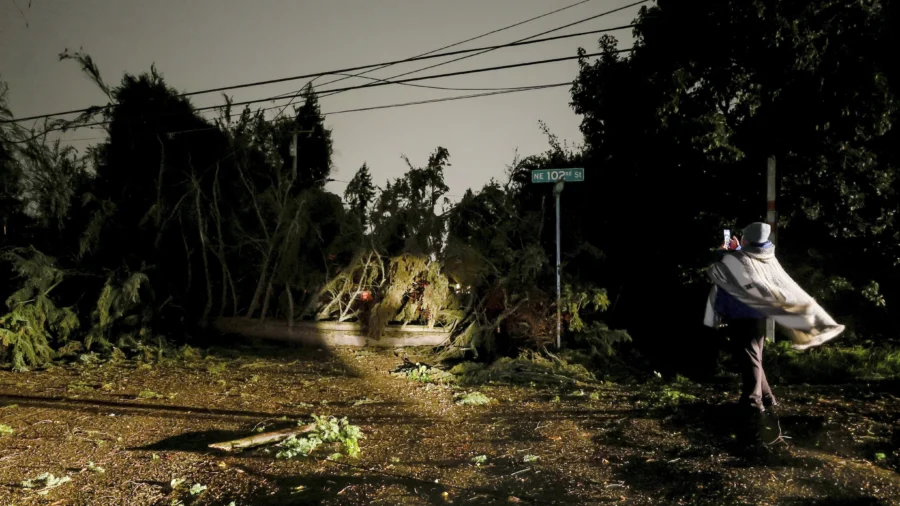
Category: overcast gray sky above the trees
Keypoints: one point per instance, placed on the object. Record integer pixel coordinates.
(208, 43)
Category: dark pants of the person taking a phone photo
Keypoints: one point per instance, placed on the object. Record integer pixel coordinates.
(748, 337)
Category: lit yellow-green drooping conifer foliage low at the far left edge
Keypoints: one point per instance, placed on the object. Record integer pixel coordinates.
(34, 323)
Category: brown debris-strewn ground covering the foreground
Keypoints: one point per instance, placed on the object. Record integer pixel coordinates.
(148, 425)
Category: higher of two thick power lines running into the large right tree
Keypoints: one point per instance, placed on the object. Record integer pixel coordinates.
(341, 71)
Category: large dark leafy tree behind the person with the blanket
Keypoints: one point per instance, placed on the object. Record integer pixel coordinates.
(684, 136)
